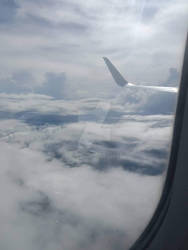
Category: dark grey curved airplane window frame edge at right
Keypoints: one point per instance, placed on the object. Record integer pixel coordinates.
(168, 228)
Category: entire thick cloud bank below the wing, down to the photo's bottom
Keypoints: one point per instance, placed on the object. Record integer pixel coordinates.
(83, 174)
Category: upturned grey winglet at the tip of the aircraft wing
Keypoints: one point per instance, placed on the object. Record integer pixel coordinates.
(115, 73)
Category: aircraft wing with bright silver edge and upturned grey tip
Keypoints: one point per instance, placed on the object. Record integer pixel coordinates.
(120, 80)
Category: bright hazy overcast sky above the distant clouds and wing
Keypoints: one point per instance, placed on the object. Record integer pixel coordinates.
(145, 39)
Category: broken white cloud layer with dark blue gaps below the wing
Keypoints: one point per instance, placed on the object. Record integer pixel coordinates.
(82, 132)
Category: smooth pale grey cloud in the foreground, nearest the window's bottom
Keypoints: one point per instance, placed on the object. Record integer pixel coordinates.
(51, 205)
